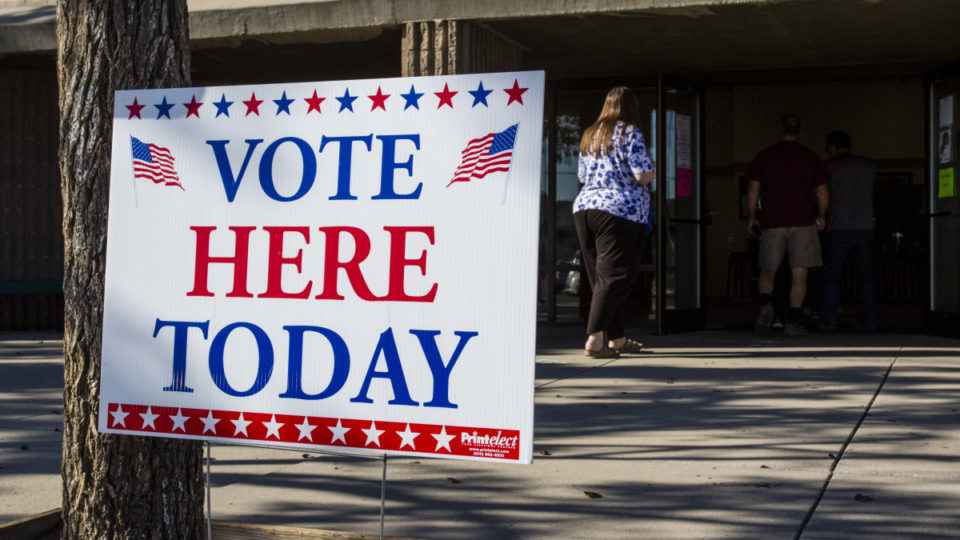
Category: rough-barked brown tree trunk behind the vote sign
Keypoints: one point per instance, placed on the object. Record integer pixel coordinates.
(113, 486)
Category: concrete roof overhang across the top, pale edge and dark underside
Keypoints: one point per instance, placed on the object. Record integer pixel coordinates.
(720, 41)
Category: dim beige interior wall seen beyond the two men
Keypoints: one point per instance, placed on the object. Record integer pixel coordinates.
(884, 117)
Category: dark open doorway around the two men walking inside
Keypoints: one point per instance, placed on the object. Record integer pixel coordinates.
(885, 118)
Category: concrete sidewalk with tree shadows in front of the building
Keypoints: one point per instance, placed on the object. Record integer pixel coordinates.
(707, 435)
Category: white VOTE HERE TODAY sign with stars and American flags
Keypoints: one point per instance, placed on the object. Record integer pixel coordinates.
(332, 265)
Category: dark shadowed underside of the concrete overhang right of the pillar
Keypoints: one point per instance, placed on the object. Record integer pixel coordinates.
(813, 38)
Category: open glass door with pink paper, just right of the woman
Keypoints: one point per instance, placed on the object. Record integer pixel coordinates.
(679, 207)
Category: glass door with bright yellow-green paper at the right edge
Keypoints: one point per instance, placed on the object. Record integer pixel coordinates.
(943, 165)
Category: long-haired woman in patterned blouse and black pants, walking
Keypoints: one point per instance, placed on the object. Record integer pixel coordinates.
(612, 217)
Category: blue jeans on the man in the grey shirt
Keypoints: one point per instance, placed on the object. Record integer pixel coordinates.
(858, 245)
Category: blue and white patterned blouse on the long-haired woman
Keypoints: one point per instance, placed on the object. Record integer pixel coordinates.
(609, 183)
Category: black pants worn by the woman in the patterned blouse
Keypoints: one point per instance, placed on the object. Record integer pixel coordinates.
(611, 248)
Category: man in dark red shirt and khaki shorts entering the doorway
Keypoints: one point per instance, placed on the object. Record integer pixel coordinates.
(790, 183)
